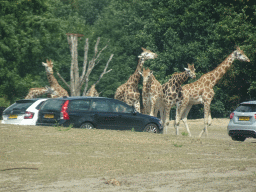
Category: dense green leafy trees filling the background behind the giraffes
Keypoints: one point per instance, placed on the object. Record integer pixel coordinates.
(179, 31)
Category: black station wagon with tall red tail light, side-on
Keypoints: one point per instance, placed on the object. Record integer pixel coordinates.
(95, 112)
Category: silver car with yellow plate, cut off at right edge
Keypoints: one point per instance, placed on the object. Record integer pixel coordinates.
(242, 123)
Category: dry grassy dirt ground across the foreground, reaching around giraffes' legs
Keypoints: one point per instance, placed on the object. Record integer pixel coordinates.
(38, 159)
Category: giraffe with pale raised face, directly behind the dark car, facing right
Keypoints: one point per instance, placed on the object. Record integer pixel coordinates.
(128, 92)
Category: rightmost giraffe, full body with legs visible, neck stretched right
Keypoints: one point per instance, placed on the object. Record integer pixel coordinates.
(201, 92)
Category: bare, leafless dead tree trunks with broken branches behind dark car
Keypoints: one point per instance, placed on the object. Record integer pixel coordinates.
(77, 82)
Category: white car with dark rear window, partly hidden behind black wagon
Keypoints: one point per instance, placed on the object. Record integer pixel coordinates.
(23, 112)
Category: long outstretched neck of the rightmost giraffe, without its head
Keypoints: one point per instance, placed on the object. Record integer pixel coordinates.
(215, 75)
